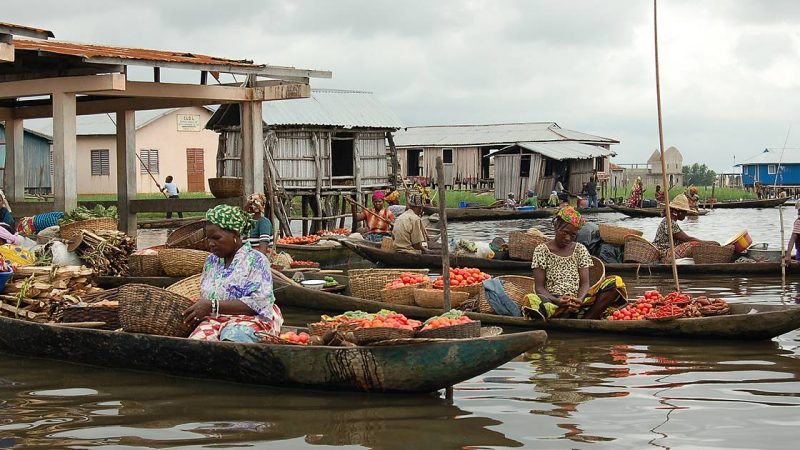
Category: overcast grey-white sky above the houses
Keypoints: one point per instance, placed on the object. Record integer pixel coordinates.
(730, 69)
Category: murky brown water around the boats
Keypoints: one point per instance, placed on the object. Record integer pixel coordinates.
(579, 391)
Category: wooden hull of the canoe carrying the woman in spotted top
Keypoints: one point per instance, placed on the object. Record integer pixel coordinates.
(746, 321)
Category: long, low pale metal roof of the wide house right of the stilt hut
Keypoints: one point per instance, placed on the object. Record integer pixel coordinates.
(506, 133)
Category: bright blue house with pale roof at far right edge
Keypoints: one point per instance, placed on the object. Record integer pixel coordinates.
(769, 168)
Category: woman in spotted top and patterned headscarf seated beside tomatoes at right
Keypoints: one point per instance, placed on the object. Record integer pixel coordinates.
(561, 270)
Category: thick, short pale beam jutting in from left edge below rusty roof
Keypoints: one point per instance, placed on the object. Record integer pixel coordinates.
(46, 86)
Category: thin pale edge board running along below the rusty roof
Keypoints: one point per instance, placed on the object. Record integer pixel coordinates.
(261, 70)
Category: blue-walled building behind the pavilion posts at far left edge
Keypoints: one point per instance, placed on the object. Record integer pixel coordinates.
(38, 169)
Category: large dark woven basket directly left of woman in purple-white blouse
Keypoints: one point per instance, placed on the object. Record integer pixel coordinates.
(150, 310)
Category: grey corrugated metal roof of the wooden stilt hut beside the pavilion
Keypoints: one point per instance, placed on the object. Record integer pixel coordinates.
(332, 107)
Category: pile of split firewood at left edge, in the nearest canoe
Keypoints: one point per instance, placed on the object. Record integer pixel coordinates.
(40, 293)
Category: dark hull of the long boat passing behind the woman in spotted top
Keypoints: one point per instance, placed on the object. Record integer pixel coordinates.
(433, 261)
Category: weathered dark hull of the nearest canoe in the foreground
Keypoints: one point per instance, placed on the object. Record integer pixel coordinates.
(421, 367)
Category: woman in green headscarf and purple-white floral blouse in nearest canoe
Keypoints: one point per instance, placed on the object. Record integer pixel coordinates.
(236, 285)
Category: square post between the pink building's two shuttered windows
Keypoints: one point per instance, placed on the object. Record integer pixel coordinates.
(126, 170)
